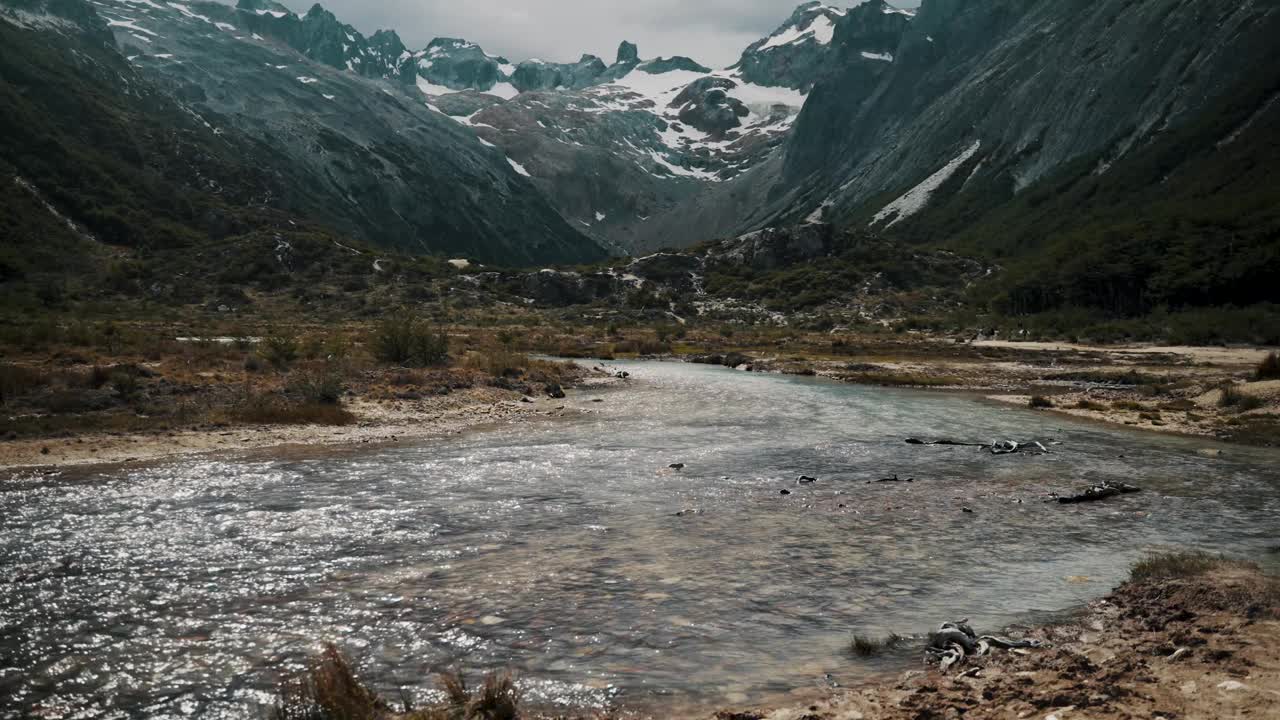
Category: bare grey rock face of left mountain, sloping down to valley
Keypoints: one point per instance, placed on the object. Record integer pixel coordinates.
(359, 160)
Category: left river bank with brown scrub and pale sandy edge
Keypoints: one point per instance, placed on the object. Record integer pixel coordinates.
(158, 399)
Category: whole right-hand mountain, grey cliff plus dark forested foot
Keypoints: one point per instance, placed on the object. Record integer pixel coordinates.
(1039, 130)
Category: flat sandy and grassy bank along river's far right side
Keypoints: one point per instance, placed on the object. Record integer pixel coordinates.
(1210, 393)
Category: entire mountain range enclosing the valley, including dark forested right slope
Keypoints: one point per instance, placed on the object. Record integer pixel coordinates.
(1005, 130)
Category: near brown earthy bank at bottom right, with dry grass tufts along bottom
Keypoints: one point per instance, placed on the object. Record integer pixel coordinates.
(1188, 637)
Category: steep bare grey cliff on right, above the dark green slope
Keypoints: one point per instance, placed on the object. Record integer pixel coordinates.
(991, 97)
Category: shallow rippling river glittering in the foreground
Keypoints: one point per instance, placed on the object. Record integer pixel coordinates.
(188, 589)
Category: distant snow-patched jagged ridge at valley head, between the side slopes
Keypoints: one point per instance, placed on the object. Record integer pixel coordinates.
(610, 145)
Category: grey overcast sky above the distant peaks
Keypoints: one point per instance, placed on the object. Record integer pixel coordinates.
(711, 31)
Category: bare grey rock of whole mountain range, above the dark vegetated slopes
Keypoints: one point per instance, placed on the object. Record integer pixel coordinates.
(870, 116)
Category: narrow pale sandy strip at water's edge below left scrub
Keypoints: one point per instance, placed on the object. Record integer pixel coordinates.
(378, 422)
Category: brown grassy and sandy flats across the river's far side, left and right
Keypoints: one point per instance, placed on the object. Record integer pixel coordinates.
(150, 399)
